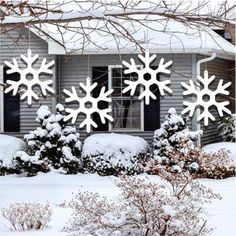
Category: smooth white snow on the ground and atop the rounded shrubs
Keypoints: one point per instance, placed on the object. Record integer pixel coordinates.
(55, 188)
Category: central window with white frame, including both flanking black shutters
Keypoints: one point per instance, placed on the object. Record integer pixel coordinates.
(129, 113)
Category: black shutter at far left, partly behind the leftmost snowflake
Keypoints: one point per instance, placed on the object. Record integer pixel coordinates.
(11, 106)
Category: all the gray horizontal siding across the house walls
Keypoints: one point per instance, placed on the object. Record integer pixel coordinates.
(74, 69)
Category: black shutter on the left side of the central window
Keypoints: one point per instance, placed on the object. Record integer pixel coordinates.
(100, 75)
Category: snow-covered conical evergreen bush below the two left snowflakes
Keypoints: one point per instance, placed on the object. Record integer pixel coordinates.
(53, 145)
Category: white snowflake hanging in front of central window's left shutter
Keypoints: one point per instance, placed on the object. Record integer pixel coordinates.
(83, 105)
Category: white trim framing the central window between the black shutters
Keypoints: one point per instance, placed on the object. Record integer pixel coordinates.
(110, 67)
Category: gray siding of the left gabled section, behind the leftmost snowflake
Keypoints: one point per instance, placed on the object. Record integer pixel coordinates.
(12, 46)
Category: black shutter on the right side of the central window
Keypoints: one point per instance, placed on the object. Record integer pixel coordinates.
(152, 111)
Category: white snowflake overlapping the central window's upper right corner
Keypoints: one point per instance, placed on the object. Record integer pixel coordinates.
(146, 84)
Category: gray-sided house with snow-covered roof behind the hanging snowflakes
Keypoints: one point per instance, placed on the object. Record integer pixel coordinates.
(102, 63)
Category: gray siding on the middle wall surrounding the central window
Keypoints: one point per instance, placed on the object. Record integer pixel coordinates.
(74, 69)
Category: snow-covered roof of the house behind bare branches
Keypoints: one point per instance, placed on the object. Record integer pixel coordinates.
(158, 34)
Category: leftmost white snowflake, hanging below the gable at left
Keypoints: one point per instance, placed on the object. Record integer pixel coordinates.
(27, 82)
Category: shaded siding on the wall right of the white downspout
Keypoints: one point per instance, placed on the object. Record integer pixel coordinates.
(219, 68)
